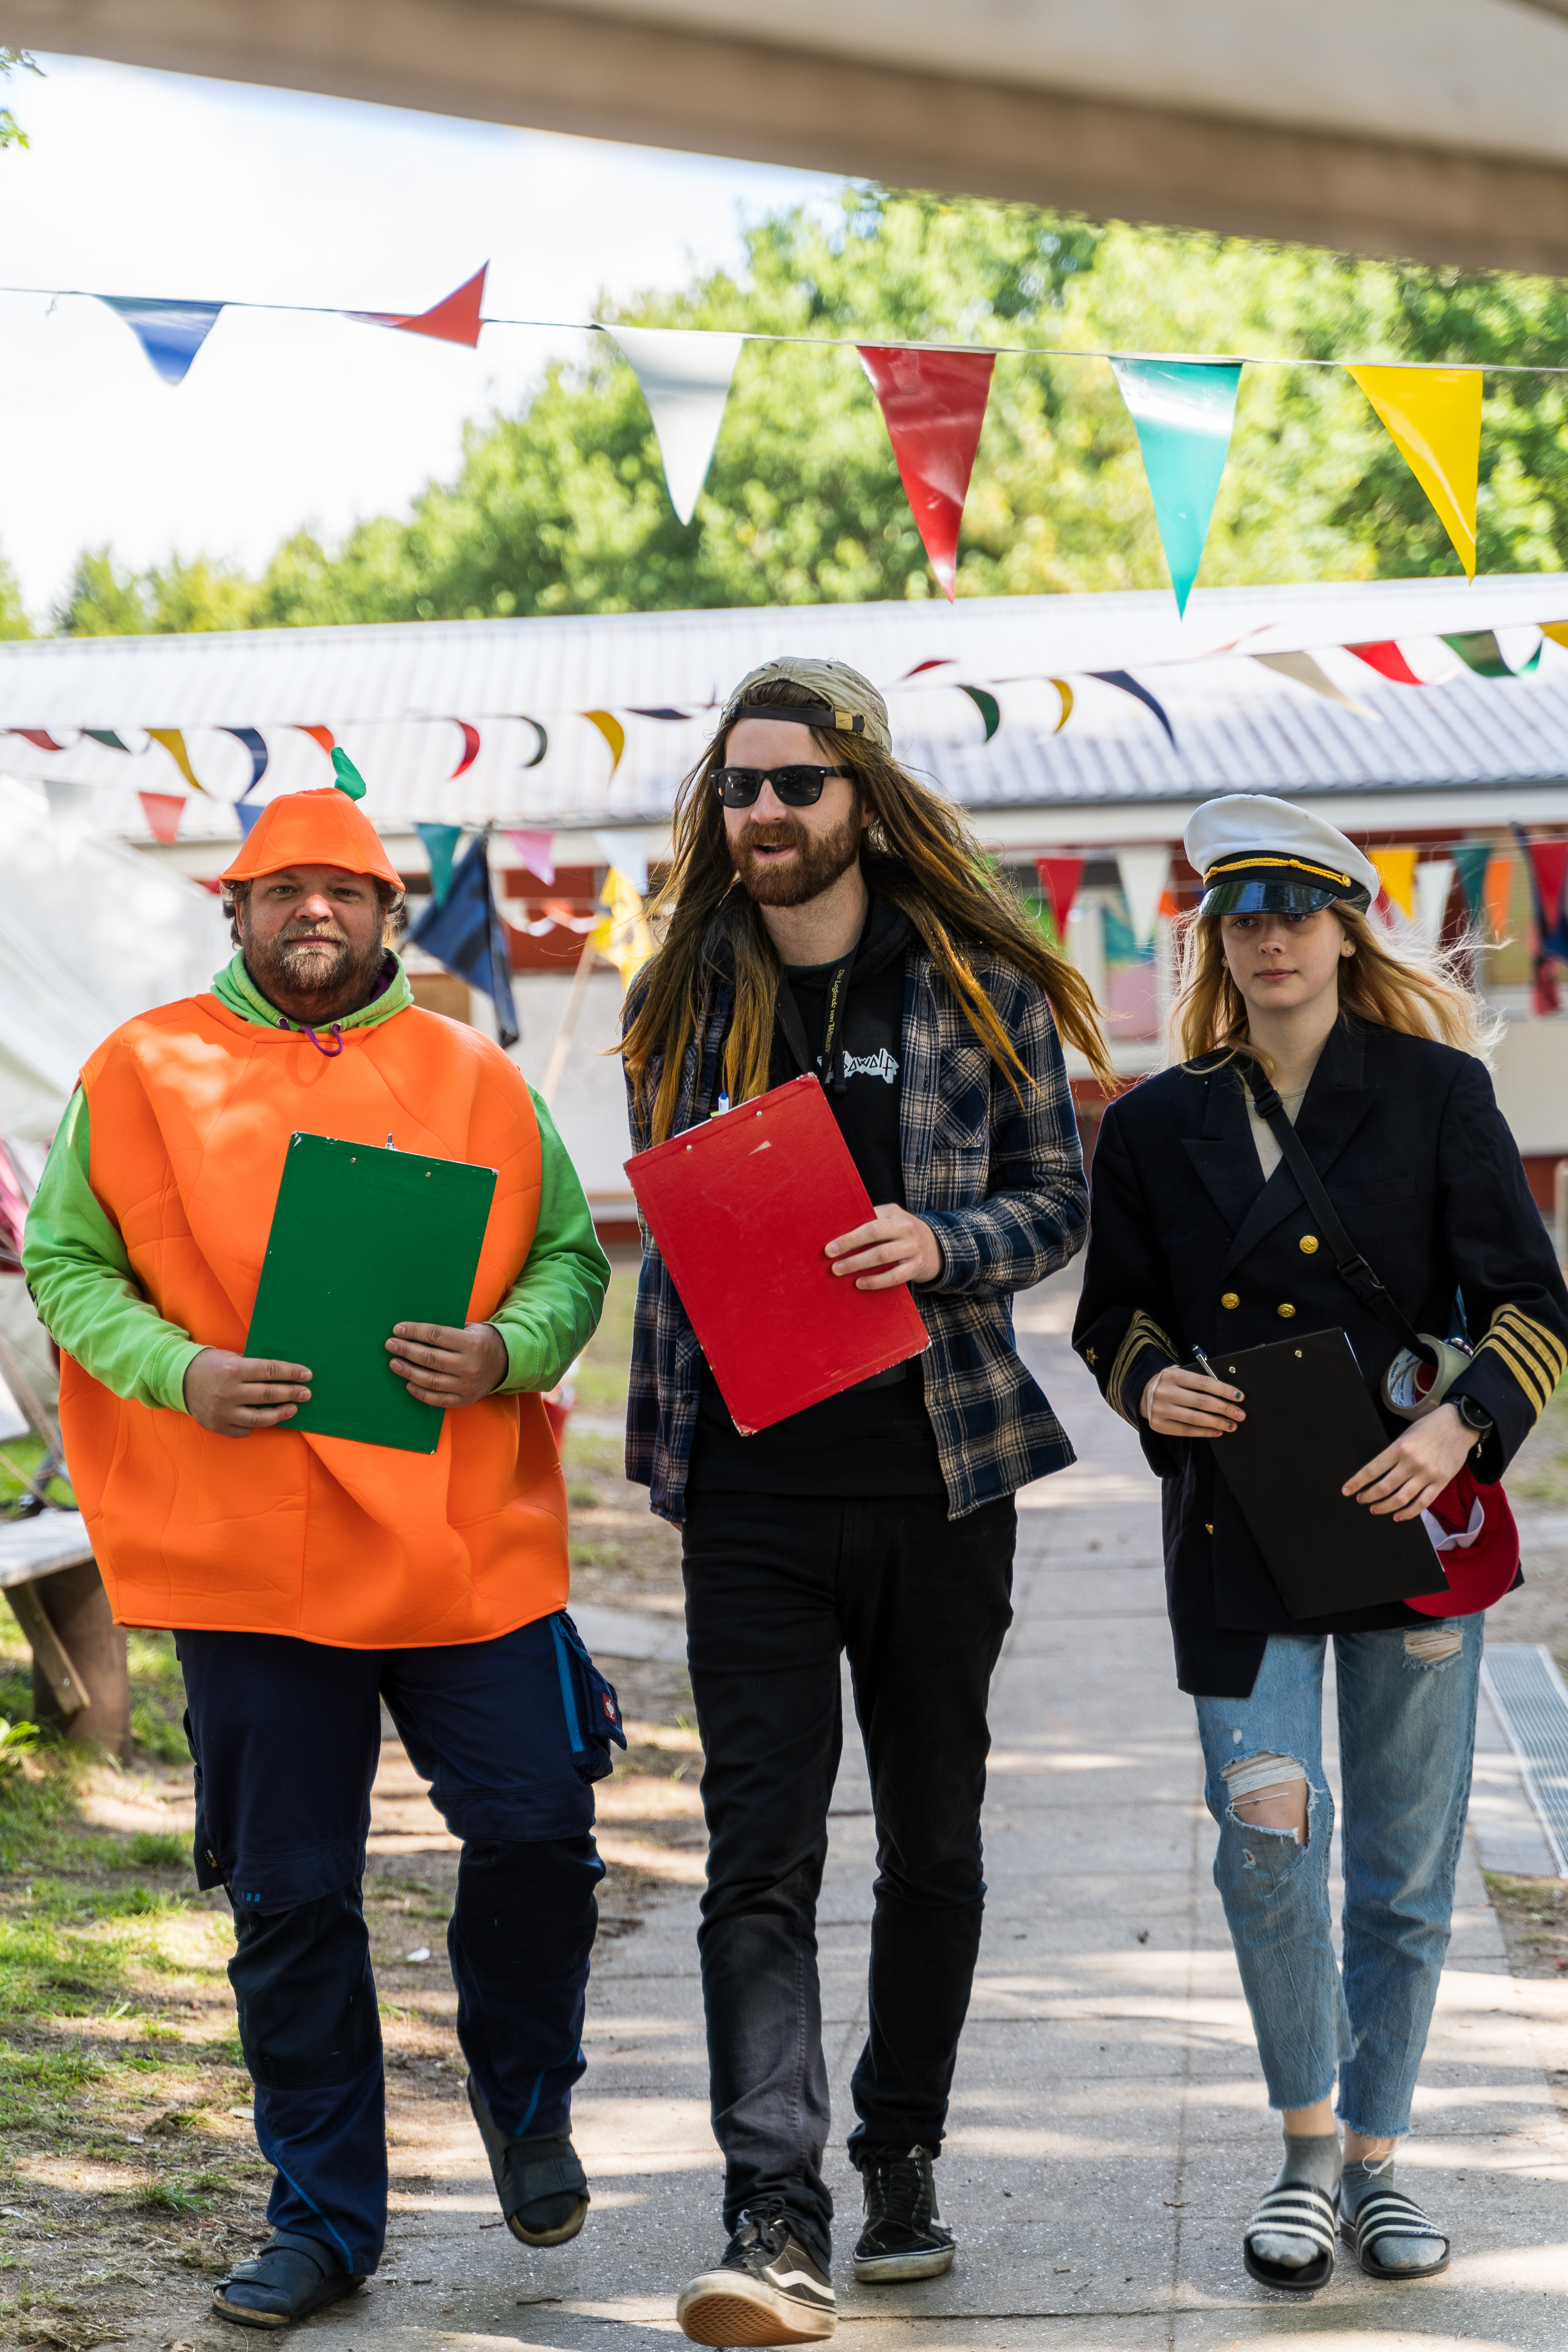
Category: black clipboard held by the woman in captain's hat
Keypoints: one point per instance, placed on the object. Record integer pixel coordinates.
(1311, 1424)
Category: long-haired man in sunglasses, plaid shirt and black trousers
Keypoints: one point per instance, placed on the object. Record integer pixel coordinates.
(831, 916)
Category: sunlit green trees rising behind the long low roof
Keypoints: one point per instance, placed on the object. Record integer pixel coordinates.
(563, 507)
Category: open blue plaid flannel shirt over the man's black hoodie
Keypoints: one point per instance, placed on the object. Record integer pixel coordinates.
(1000, 1184)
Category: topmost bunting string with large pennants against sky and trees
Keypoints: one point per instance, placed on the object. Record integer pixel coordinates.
(934, 401)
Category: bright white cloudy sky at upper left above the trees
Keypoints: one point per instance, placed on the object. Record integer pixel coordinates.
(173, 187)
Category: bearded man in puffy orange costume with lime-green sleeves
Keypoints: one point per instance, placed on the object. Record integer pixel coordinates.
(311, 1577)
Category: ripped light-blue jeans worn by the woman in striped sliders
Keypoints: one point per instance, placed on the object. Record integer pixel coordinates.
(1407, 1739)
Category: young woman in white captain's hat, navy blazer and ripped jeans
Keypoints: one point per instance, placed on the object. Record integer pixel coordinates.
(1202, 1243)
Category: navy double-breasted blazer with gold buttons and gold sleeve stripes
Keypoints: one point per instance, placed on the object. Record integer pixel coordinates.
(1191, 1248)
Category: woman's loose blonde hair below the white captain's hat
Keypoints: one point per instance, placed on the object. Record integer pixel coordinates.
(1412, 989)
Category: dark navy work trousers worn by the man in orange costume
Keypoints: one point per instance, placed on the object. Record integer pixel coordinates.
(288, 1739)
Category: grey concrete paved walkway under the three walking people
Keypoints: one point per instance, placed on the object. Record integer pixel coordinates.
(1108, 2125)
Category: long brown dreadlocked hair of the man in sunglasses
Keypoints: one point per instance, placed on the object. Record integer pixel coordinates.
(920, 855)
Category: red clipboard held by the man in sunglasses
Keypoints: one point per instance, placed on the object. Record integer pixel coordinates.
(742, 1212)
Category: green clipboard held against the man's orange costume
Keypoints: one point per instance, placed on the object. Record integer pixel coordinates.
(366, 1238)
